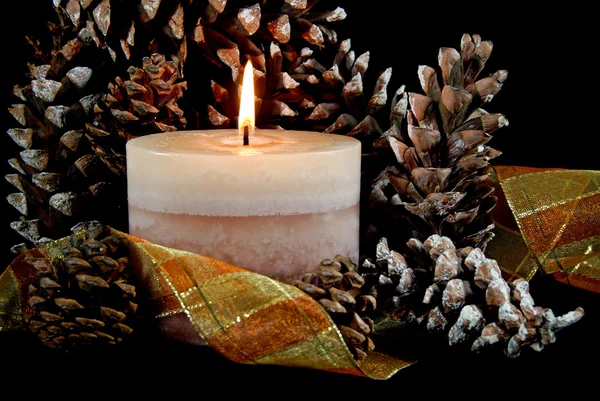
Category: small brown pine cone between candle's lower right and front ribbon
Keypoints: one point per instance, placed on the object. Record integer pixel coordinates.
(337, 285)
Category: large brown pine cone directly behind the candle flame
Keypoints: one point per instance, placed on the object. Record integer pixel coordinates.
(293, 88)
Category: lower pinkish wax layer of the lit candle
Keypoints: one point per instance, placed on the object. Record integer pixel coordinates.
(283, 247)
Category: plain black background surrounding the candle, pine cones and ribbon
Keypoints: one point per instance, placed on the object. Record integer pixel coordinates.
(550, 99)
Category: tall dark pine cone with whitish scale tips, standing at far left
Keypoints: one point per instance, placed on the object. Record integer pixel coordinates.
(54, 171)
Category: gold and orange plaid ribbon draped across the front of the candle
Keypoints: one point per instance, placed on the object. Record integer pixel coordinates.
(246, 317)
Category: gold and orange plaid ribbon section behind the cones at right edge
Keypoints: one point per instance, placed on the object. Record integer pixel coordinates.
(548, 219)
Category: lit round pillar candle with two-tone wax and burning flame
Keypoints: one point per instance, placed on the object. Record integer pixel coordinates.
(276, 203)
